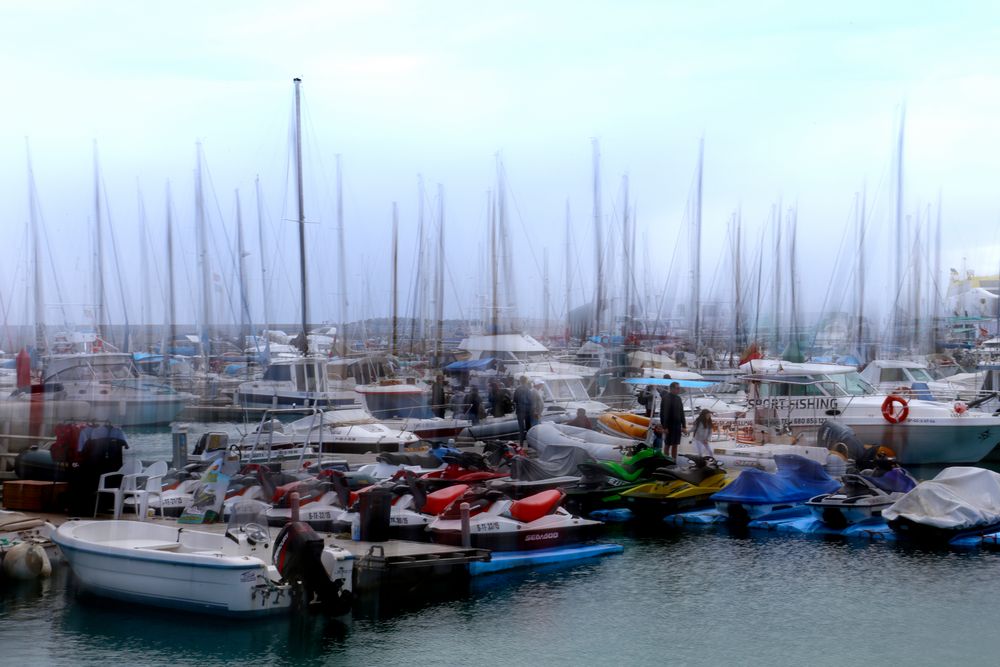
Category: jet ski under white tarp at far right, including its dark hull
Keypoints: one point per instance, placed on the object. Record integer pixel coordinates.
(960, 501)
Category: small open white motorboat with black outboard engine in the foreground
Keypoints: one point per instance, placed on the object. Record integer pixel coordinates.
(230, 574)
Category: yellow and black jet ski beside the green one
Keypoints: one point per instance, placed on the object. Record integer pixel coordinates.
(677, 488)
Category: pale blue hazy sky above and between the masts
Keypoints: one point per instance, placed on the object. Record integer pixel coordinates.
(798, 106)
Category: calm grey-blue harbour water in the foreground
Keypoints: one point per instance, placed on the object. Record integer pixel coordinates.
(691, 597)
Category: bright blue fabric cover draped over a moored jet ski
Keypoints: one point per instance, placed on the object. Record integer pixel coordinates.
(797, 479)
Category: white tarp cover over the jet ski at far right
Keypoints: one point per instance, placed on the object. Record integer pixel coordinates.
(958, 498)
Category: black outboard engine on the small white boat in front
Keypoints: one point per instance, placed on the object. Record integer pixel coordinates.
(298, 553)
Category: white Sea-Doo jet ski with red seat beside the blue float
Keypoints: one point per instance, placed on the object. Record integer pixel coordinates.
(500, 523)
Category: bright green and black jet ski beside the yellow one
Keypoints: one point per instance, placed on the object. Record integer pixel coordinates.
(603, 482)
